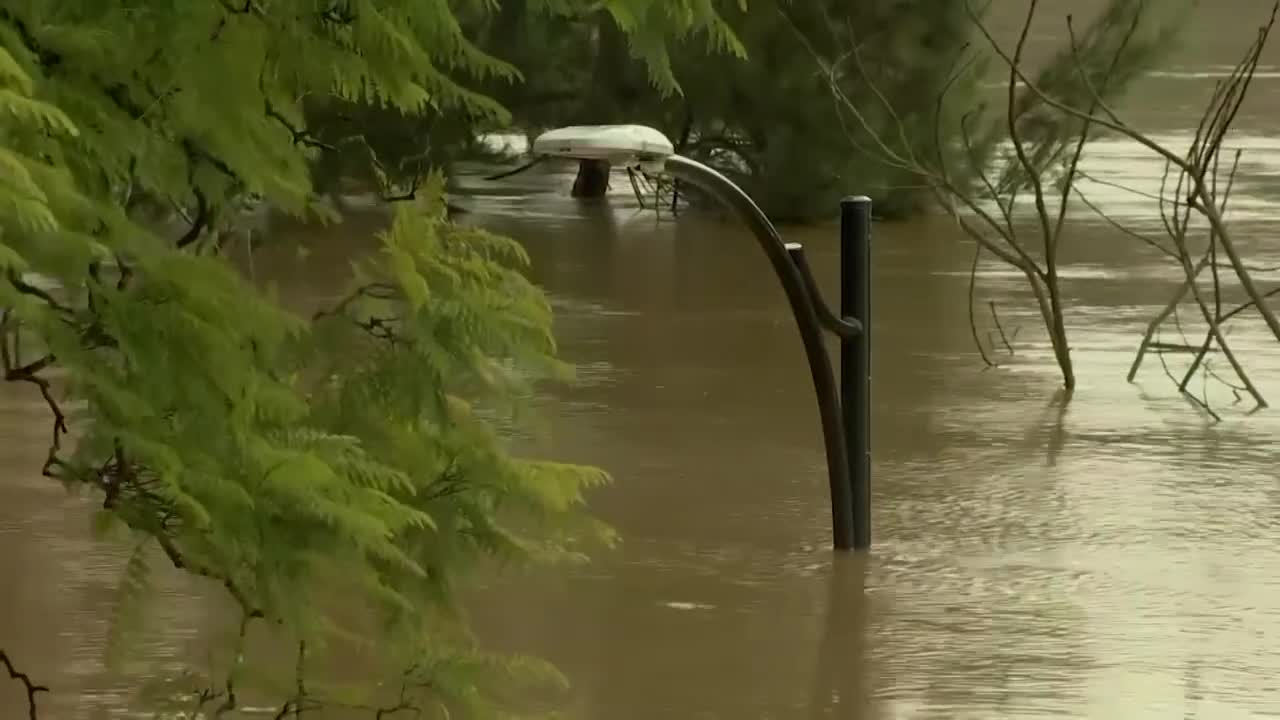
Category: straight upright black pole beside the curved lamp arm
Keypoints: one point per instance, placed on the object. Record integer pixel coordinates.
(856, 358)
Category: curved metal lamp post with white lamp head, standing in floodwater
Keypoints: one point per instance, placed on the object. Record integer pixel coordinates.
(651, 151)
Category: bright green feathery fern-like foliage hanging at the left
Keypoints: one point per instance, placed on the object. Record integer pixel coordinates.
(354, 459)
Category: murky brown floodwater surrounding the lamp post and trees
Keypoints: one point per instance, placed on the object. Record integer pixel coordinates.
(1108, 558)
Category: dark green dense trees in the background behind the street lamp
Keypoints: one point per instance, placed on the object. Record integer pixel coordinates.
(769, 119)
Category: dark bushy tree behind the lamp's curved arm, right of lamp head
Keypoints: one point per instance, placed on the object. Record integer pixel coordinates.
(771, 121)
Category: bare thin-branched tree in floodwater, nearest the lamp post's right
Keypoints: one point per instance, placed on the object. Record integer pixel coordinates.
(1023, 149)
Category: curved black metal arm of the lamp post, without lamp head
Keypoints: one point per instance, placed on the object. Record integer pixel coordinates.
(811, 334)
